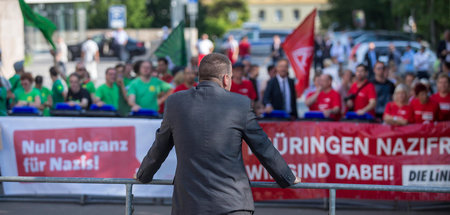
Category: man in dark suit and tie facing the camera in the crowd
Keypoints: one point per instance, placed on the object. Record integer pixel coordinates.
(280, 91)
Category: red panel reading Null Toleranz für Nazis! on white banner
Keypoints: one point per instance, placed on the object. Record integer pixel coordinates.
(105, 152)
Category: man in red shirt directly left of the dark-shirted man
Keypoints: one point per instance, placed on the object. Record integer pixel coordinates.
(364, 99)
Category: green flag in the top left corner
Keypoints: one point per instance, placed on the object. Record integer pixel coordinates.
(31, 18)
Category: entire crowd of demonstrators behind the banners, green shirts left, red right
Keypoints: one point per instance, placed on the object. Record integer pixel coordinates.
(412, 94)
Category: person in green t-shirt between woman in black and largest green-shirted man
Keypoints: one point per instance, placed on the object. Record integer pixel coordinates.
(109, 92)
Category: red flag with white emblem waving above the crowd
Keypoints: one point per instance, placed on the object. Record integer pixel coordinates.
(299, 47)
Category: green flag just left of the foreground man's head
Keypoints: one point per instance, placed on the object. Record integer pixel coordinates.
(174, 46)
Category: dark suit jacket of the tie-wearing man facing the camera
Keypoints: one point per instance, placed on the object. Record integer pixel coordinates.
(273, 95)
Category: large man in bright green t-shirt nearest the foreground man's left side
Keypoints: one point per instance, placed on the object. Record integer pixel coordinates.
(146, 91)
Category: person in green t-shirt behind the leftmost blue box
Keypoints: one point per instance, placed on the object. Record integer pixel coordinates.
(27, 95)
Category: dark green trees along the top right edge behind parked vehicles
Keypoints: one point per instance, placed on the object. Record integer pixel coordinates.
(431, 16)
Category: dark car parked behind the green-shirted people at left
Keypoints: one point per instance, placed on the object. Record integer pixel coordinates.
(108, 47)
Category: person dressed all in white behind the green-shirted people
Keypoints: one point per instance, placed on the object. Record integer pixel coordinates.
(90, 57)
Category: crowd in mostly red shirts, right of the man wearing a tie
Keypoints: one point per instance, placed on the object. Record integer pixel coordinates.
(403, 90)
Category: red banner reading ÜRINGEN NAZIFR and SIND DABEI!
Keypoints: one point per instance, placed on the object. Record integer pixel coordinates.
(357, 153)
